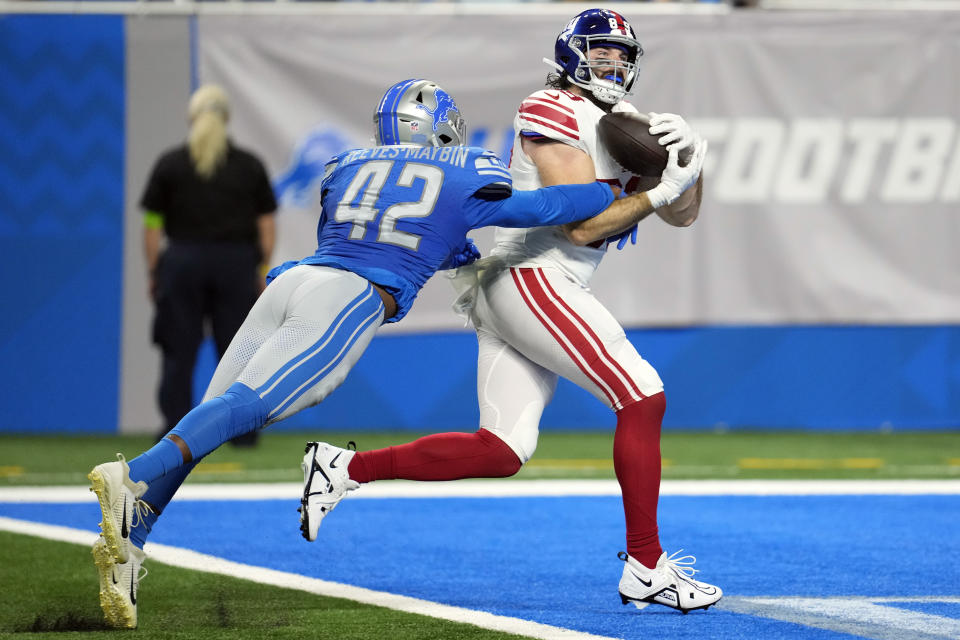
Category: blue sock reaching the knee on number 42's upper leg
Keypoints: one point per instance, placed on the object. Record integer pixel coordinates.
(238, 411)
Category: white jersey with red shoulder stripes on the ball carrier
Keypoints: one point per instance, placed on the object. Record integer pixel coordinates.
(571, 119)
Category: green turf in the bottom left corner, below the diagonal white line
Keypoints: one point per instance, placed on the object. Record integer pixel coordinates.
(51, 592)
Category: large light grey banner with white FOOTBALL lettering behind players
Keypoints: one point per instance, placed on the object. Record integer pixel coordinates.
(833, 181)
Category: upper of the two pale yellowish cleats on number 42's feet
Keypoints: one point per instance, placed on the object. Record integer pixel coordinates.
(120, 504)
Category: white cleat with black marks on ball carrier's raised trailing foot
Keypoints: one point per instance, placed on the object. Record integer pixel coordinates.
(325, 482)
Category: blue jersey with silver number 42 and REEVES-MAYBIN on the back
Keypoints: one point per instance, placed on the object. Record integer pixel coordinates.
(397, 214)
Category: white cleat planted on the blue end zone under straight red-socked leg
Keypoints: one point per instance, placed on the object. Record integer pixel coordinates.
(670, 583)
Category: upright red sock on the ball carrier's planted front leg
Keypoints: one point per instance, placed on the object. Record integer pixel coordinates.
(636, 461)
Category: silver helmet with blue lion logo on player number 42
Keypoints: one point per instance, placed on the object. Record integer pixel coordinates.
(418, 112)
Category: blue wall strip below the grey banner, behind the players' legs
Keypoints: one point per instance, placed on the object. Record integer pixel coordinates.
(734, 377)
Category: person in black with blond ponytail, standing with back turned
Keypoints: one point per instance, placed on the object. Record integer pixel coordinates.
(213, 203)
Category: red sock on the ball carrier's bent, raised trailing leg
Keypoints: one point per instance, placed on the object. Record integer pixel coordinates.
(442, 456)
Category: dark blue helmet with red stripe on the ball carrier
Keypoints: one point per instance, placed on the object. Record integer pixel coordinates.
(594, 28)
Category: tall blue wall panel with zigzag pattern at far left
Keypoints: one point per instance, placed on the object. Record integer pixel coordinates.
(62, 120)
